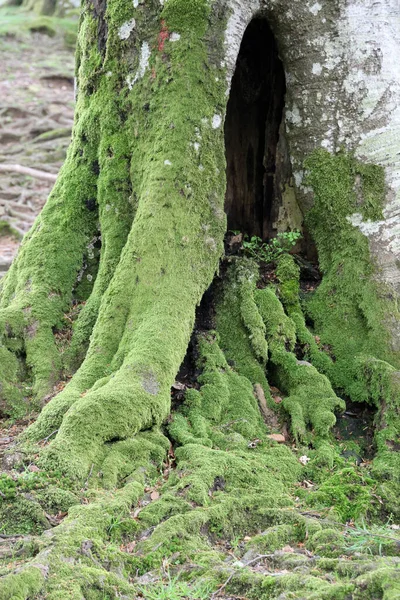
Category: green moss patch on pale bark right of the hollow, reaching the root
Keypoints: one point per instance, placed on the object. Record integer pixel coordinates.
(364, 363)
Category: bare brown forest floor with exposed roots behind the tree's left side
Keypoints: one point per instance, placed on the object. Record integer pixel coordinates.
(36, 116)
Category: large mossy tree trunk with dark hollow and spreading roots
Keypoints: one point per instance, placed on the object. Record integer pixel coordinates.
(131, 238)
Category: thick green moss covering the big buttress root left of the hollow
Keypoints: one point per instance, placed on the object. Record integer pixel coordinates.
(177, 231)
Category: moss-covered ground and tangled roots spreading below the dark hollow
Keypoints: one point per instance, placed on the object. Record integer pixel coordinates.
(209, 505)
